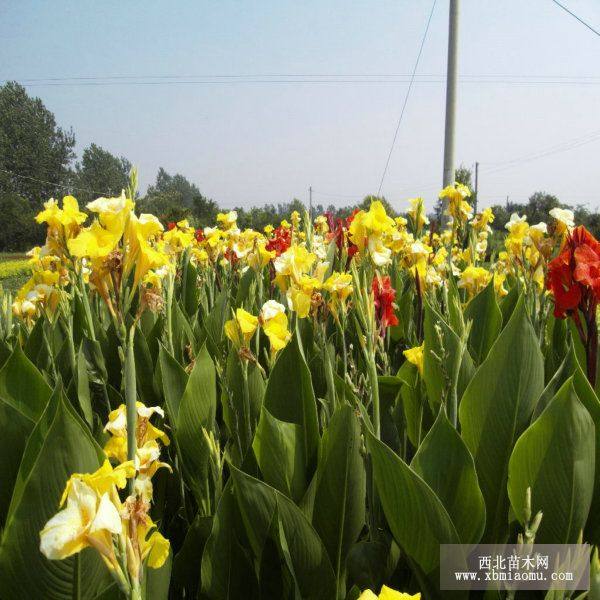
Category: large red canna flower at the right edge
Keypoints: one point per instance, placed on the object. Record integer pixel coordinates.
(574, 281)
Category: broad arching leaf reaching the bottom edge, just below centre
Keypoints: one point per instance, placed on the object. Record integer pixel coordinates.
(298, 542)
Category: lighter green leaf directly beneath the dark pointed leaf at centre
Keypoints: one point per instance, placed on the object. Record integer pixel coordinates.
(279, 450)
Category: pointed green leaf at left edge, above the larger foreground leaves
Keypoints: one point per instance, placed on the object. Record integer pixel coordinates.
(23, 386)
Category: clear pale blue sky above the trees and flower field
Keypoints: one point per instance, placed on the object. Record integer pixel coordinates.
(250, 143)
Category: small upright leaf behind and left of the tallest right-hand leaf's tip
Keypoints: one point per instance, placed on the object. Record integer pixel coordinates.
(486, 320)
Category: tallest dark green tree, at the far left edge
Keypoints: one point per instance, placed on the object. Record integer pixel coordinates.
(35, 154)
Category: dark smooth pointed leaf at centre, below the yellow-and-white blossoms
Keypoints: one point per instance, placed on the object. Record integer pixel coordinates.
(289, 397)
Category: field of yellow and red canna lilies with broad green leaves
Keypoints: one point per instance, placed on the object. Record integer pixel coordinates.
(303, 411)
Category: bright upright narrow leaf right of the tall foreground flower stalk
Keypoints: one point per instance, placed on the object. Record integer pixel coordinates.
(197, 411)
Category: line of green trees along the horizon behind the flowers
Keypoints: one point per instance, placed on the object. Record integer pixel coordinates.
(38, 162)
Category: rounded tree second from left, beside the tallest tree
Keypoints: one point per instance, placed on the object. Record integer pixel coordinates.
(100, 172)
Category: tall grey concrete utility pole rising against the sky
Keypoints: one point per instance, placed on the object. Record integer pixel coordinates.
(451, 93)
